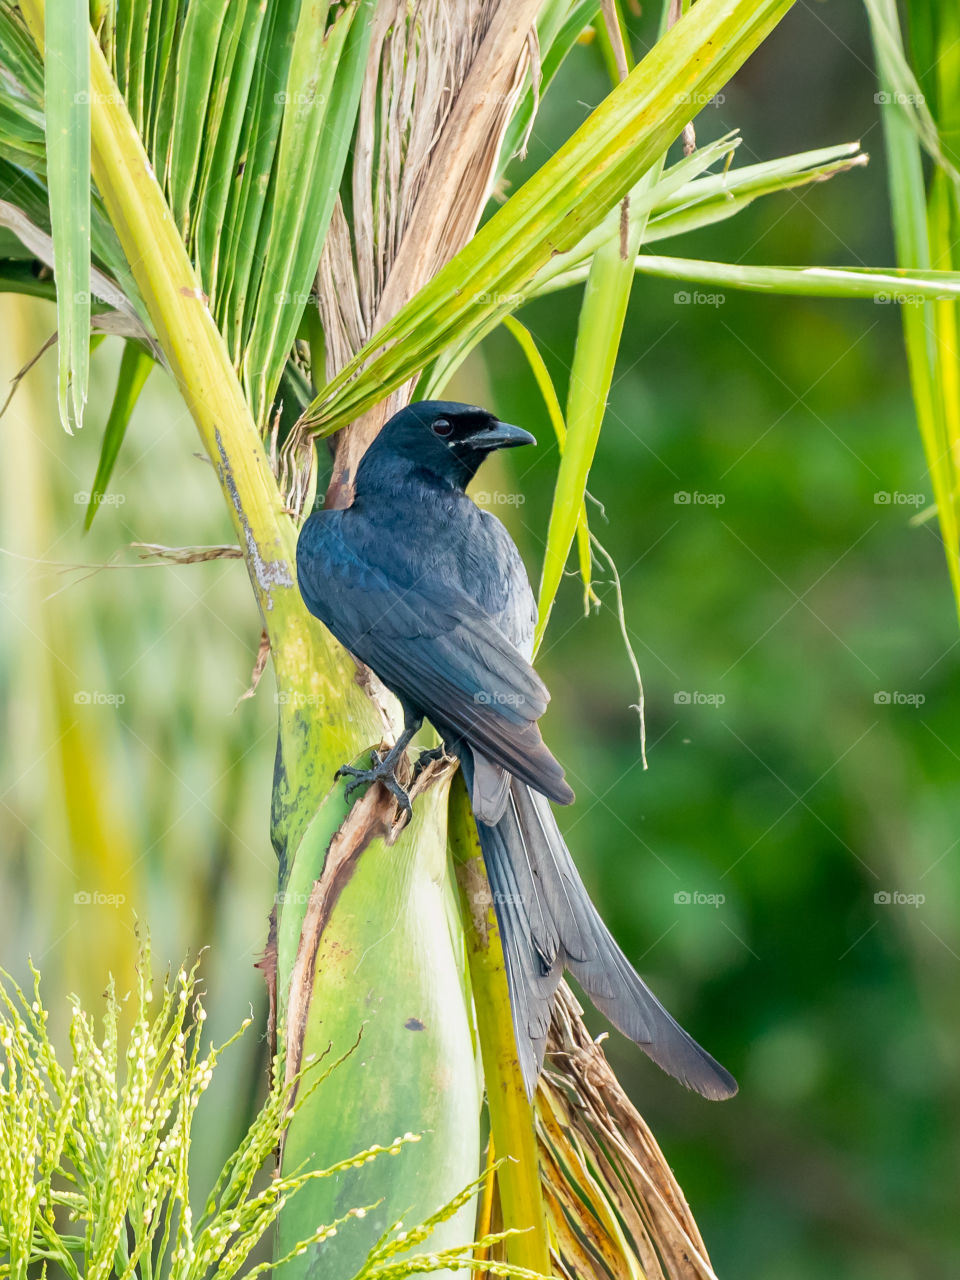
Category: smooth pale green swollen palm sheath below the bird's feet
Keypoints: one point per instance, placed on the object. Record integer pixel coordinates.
(368, 932)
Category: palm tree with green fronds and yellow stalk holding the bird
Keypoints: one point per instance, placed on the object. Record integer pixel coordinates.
(286, 208)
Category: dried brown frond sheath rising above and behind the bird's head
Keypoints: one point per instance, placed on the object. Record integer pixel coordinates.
(442, 84)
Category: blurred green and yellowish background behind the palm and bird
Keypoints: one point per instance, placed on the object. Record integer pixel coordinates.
(799, 650)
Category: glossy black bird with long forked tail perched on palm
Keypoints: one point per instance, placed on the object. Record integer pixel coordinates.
(431, 593)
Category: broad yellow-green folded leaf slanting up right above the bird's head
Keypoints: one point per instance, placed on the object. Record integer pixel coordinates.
(555, 209)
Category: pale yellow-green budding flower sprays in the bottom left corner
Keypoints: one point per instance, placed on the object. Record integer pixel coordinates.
(95, 1156)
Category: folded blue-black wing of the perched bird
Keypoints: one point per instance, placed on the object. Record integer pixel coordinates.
(433, 646)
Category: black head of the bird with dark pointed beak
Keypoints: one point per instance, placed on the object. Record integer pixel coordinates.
(446, 438)
